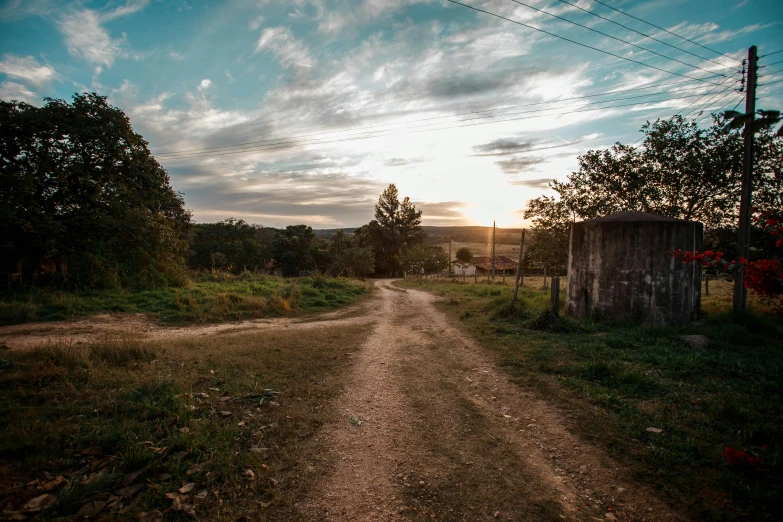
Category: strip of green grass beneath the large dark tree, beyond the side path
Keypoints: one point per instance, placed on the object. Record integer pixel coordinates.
(207, 299)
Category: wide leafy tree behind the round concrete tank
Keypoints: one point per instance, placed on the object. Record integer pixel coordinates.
(680, 171)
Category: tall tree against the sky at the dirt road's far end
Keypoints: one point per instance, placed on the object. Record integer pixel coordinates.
(395, 229)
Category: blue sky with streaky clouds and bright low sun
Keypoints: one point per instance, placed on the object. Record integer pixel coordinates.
(303, 111)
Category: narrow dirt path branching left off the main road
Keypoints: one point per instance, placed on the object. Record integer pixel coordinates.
(141, 326)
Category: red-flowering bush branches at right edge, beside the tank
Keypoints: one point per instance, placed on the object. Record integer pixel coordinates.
(763, 277)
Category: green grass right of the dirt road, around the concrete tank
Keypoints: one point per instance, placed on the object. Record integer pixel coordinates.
(615, 381)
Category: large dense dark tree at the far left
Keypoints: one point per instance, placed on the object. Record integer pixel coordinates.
(79, 186)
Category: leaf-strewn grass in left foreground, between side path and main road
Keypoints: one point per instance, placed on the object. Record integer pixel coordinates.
(222, 425)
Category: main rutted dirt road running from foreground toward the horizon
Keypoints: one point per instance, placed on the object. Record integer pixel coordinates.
(429, 428)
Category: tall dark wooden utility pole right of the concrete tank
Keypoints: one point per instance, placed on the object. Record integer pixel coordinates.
(743, 231)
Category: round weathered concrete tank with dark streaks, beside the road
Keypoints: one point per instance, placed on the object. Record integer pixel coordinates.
(619, 270)
